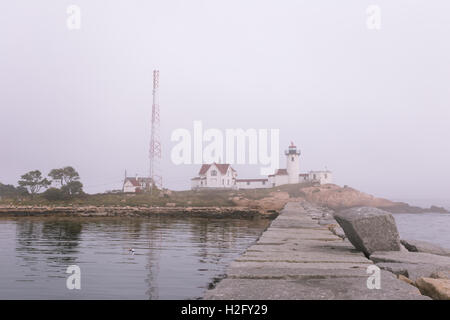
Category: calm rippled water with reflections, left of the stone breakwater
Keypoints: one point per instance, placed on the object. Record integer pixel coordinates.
(174, 258)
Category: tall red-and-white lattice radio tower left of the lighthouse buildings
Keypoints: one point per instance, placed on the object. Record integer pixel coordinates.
(155, 143)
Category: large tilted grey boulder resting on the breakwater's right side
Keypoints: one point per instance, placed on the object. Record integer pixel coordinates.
(369, 229)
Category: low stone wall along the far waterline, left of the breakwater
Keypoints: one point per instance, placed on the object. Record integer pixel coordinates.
(113, 211)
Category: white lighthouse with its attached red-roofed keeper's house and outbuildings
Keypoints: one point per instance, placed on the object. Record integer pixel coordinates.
(218, 176)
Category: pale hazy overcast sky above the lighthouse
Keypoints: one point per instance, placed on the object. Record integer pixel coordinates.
(372, 106)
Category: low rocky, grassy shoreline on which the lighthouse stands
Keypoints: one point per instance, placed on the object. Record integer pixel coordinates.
(209, 203)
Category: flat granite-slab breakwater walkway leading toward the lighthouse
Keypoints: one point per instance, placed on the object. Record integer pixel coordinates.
(299, 257)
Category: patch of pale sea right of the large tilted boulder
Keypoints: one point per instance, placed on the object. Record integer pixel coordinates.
(431, 227)
